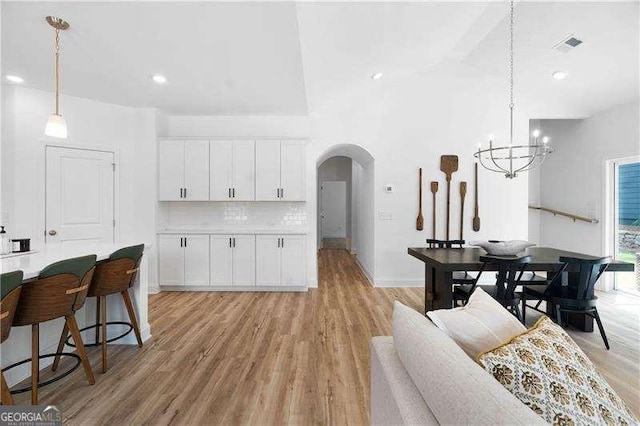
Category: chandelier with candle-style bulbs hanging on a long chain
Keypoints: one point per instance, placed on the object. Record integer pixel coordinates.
(513, 159)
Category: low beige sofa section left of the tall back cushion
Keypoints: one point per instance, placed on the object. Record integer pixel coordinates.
(394, 397)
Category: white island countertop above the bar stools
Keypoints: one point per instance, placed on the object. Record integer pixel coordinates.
(46, 254)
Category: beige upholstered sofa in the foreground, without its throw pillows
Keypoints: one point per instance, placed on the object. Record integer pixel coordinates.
(421, 377)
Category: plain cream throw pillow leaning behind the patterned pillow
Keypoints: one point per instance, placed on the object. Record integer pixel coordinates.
(480, 325)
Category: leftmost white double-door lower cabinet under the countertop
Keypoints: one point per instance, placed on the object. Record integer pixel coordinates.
(183, 260)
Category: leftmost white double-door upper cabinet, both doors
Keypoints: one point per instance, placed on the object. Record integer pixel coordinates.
(183, 170)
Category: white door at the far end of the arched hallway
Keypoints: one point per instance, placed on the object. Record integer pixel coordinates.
(334, 209)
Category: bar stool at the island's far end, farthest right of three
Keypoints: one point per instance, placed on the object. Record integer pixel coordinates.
(115, 275)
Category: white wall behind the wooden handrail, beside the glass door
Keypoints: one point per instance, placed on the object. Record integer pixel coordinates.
(573, 178)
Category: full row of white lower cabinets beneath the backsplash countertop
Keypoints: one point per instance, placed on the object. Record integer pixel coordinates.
(228, 260)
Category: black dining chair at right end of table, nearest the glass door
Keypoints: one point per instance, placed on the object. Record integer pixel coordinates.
(579, 297)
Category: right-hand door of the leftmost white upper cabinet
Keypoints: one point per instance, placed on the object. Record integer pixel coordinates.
(196, 170)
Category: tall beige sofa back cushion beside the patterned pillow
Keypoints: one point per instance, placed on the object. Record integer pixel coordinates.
(456, 389)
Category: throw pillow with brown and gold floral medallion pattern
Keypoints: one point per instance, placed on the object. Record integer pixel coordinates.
(549, 373)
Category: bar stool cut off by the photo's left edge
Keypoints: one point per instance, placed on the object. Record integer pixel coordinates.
(9, 295)
